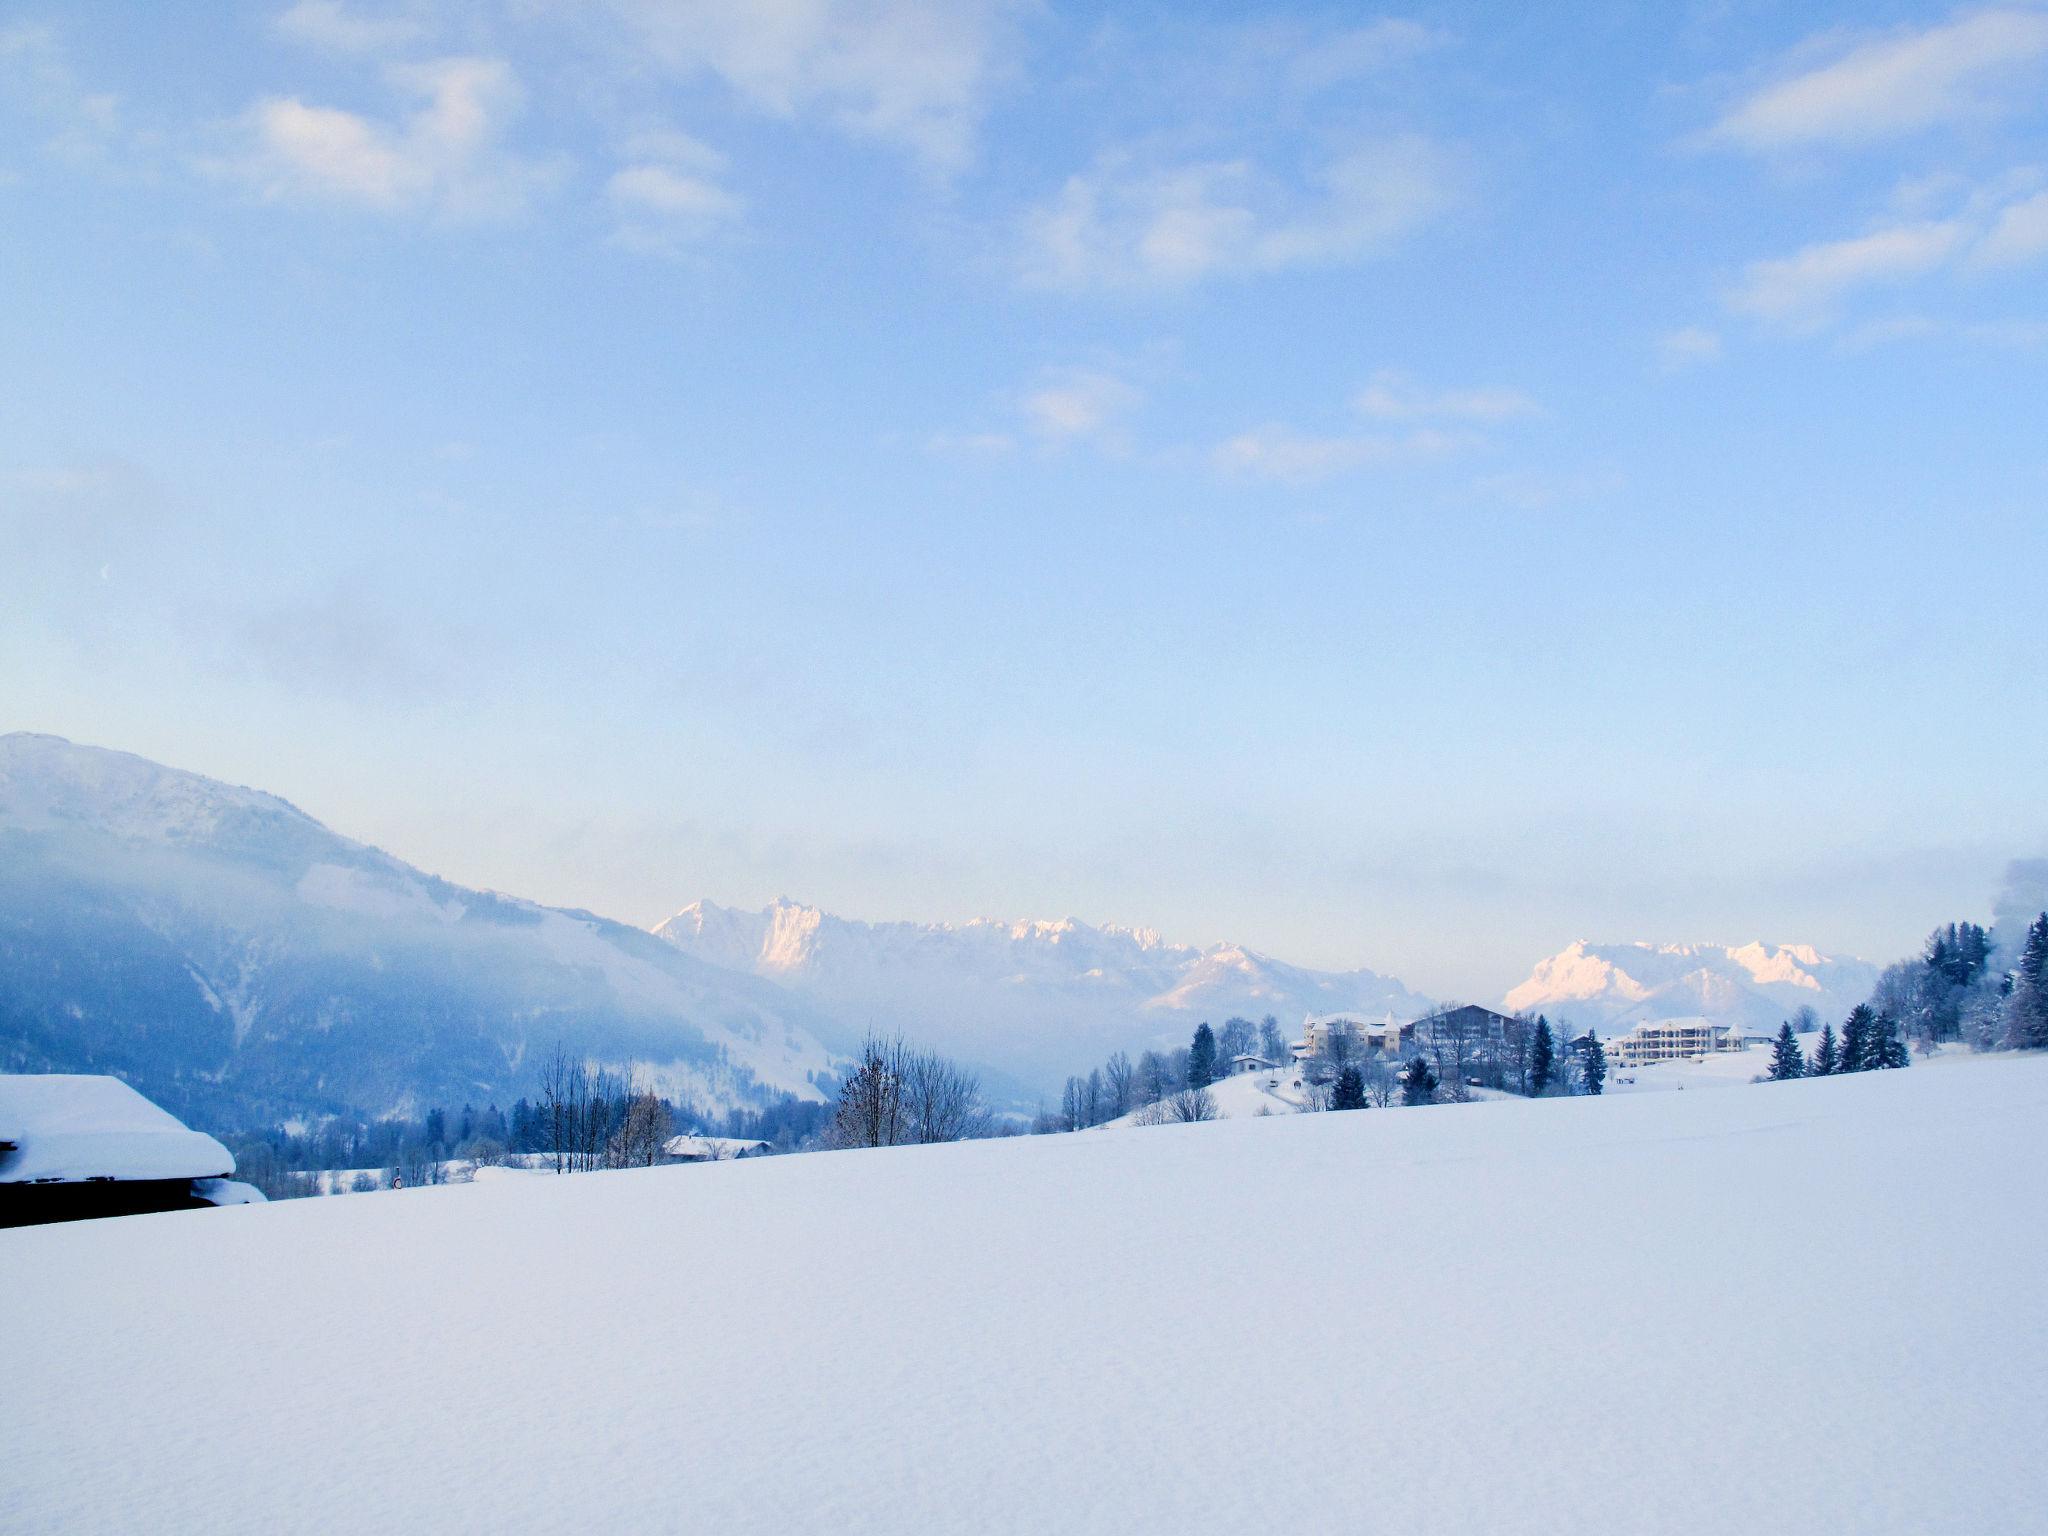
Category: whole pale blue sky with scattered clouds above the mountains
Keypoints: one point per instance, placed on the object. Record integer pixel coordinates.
(1396, 490)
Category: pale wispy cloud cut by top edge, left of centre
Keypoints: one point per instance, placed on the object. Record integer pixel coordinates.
(906, 73)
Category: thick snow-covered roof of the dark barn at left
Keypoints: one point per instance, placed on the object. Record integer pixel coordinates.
(58, 1127)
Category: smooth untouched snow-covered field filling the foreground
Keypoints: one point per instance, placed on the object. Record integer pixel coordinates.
(1805, 1308)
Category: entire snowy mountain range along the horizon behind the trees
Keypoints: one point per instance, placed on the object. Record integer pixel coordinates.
(243, 964)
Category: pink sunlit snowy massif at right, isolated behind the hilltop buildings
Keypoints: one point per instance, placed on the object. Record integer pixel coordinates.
(1760, 986)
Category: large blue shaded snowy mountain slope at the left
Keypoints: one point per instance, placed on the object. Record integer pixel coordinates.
(241, 962)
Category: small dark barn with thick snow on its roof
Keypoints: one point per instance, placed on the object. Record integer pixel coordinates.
(77, 1148)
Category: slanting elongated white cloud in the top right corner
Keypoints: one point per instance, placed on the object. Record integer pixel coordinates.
(1895, 85)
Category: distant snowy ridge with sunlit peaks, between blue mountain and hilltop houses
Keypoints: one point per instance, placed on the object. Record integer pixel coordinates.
(1035, 1000)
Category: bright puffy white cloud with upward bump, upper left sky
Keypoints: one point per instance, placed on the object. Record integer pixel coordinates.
(445, 155)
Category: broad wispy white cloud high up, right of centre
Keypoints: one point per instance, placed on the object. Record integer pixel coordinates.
(1134, 226)
